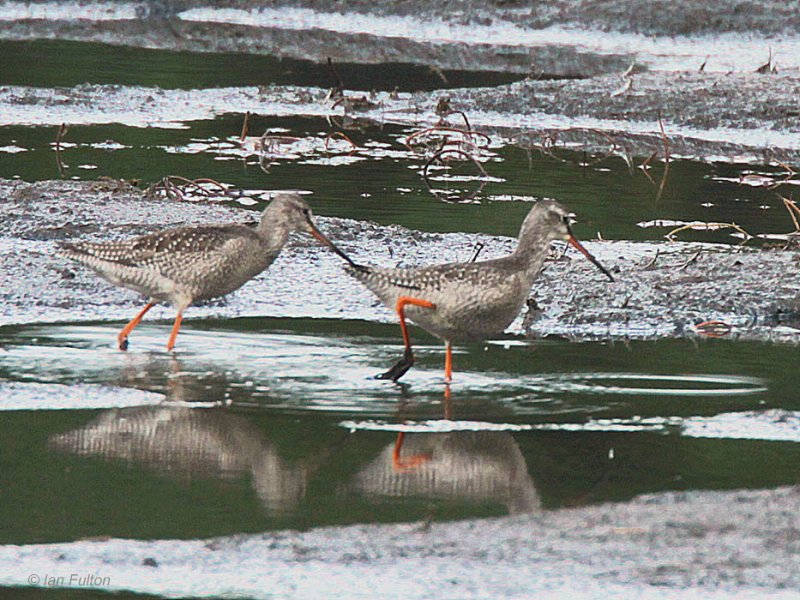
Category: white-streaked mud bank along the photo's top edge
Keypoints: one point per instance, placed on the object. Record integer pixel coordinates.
(568, 38)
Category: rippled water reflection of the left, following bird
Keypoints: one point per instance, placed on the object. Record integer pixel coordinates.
(187, 444)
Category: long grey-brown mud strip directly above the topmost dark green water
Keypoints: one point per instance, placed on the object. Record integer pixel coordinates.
(317, 44)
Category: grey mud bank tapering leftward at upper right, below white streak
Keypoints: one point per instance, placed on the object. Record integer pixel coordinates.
(755, 110)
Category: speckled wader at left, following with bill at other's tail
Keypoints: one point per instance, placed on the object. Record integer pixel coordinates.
(184, 265)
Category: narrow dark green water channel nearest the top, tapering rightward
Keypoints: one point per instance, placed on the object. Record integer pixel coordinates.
(63, 64)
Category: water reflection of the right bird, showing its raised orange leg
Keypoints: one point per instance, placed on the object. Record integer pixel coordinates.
(468, 466)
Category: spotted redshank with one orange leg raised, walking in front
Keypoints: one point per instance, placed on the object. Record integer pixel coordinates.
(460, 302)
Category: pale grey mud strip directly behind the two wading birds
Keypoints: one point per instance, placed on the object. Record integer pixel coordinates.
(755, 292)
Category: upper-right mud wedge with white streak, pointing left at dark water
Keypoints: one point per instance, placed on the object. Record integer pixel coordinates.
(705, 115)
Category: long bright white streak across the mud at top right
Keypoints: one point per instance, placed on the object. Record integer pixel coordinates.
(721, 52)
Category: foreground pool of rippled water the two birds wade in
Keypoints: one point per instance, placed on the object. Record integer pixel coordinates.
(259, 424)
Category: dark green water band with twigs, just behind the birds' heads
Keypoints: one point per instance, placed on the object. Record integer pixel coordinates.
(606, 197)
